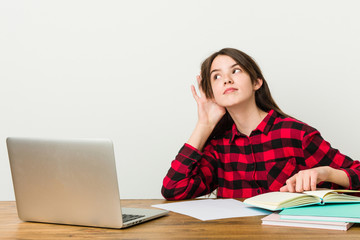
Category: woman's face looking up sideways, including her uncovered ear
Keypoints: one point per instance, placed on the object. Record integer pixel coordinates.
(231, 85)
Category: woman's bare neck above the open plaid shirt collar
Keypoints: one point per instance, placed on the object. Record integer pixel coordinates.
(246, 118)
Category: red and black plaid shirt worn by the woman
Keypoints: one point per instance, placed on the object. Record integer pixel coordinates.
(243, 166)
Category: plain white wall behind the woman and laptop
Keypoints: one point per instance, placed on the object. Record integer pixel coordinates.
(123, 70)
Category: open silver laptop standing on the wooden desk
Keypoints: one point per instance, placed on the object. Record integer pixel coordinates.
(70, 181)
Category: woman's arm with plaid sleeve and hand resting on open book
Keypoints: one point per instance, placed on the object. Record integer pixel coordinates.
(326, 165)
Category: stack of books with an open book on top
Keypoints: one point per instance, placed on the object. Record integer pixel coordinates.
(326, 209)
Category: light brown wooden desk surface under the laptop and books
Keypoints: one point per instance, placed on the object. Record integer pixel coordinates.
(173, 226)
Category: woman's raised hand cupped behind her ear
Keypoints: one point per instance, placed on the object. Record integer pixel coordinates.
(209, 113)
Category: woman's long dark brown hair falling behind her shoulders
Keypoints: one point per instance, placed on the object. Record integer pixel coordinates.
(263, 98)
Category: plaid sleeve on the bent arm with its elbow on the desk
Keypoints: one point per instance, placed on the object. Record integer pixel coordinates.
(192, 174)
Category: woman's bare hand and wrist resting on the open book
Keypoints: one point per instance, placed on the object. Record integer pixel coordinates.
(307, 180)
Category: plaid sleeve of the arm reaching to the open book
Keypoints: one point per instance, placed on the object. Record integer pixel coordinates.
(318, 152)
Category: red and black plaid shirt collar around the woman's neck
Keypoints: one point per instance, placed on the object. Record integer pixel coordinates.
(264, 126)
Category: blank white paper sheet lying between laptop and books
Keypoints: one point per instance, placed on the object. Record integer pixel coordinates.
(211, 209)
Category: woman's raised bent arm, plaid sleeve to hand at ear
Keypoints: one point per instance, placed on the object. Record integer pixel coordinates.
(194, 173)
